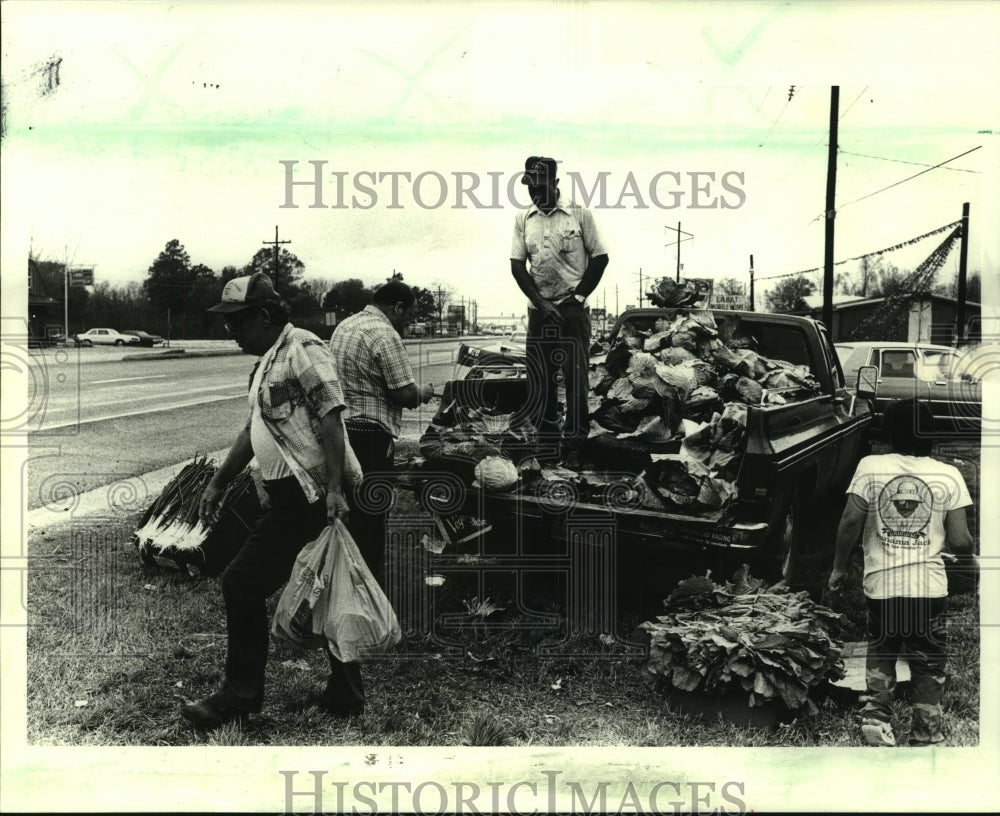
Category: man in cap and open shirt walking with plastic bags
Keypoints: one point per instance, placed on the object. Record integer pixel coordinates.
(295, 430)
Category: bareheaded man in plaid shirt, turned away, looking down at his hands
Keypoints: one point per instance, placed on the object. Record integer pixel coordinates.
(378, 382)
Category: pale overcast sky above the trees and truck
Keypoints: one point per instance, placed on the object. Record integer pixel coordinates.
(170, 121)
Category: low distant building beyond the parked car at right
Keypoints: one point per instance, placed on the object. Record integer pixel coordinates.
(920, 319)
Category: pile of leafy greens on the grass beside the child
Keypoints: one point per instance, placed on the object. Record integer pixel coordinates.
(770, 644)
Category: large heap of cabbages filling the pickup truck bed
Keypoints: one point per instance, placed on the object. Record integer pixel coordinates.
(677, 389)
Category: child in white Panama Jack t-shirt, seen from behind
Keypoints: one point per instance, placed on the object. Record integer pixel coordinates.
(908, 507)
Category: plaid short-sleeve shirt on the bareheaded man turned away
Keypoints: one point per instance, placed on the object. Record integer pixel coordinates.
(371, 360)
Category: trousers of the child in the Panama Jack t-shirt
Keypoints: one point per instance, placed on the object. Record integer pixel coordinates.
(907, 627)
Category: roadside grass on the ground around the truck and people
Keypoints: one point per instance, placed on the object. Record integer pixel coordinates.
(113, 656)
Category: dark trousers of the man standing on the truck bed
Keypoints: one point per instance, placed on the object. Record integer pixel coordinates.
(555, 347)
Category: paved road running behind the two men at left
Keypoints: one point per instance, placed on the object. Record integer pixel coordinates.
(99, 422)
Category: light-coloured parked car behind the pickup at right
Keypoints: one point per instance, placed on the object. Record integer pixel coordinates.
(928, 372)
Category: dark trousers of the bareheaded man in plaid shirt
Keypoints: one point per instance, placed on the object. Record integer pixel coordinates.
(374, 447)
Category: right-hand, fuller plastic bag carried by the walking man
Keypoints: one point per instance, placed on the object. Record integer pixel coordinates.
(359, 622)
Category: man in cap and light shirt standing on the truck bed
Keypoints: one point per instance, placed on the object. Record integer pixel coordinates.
(557, 257)
